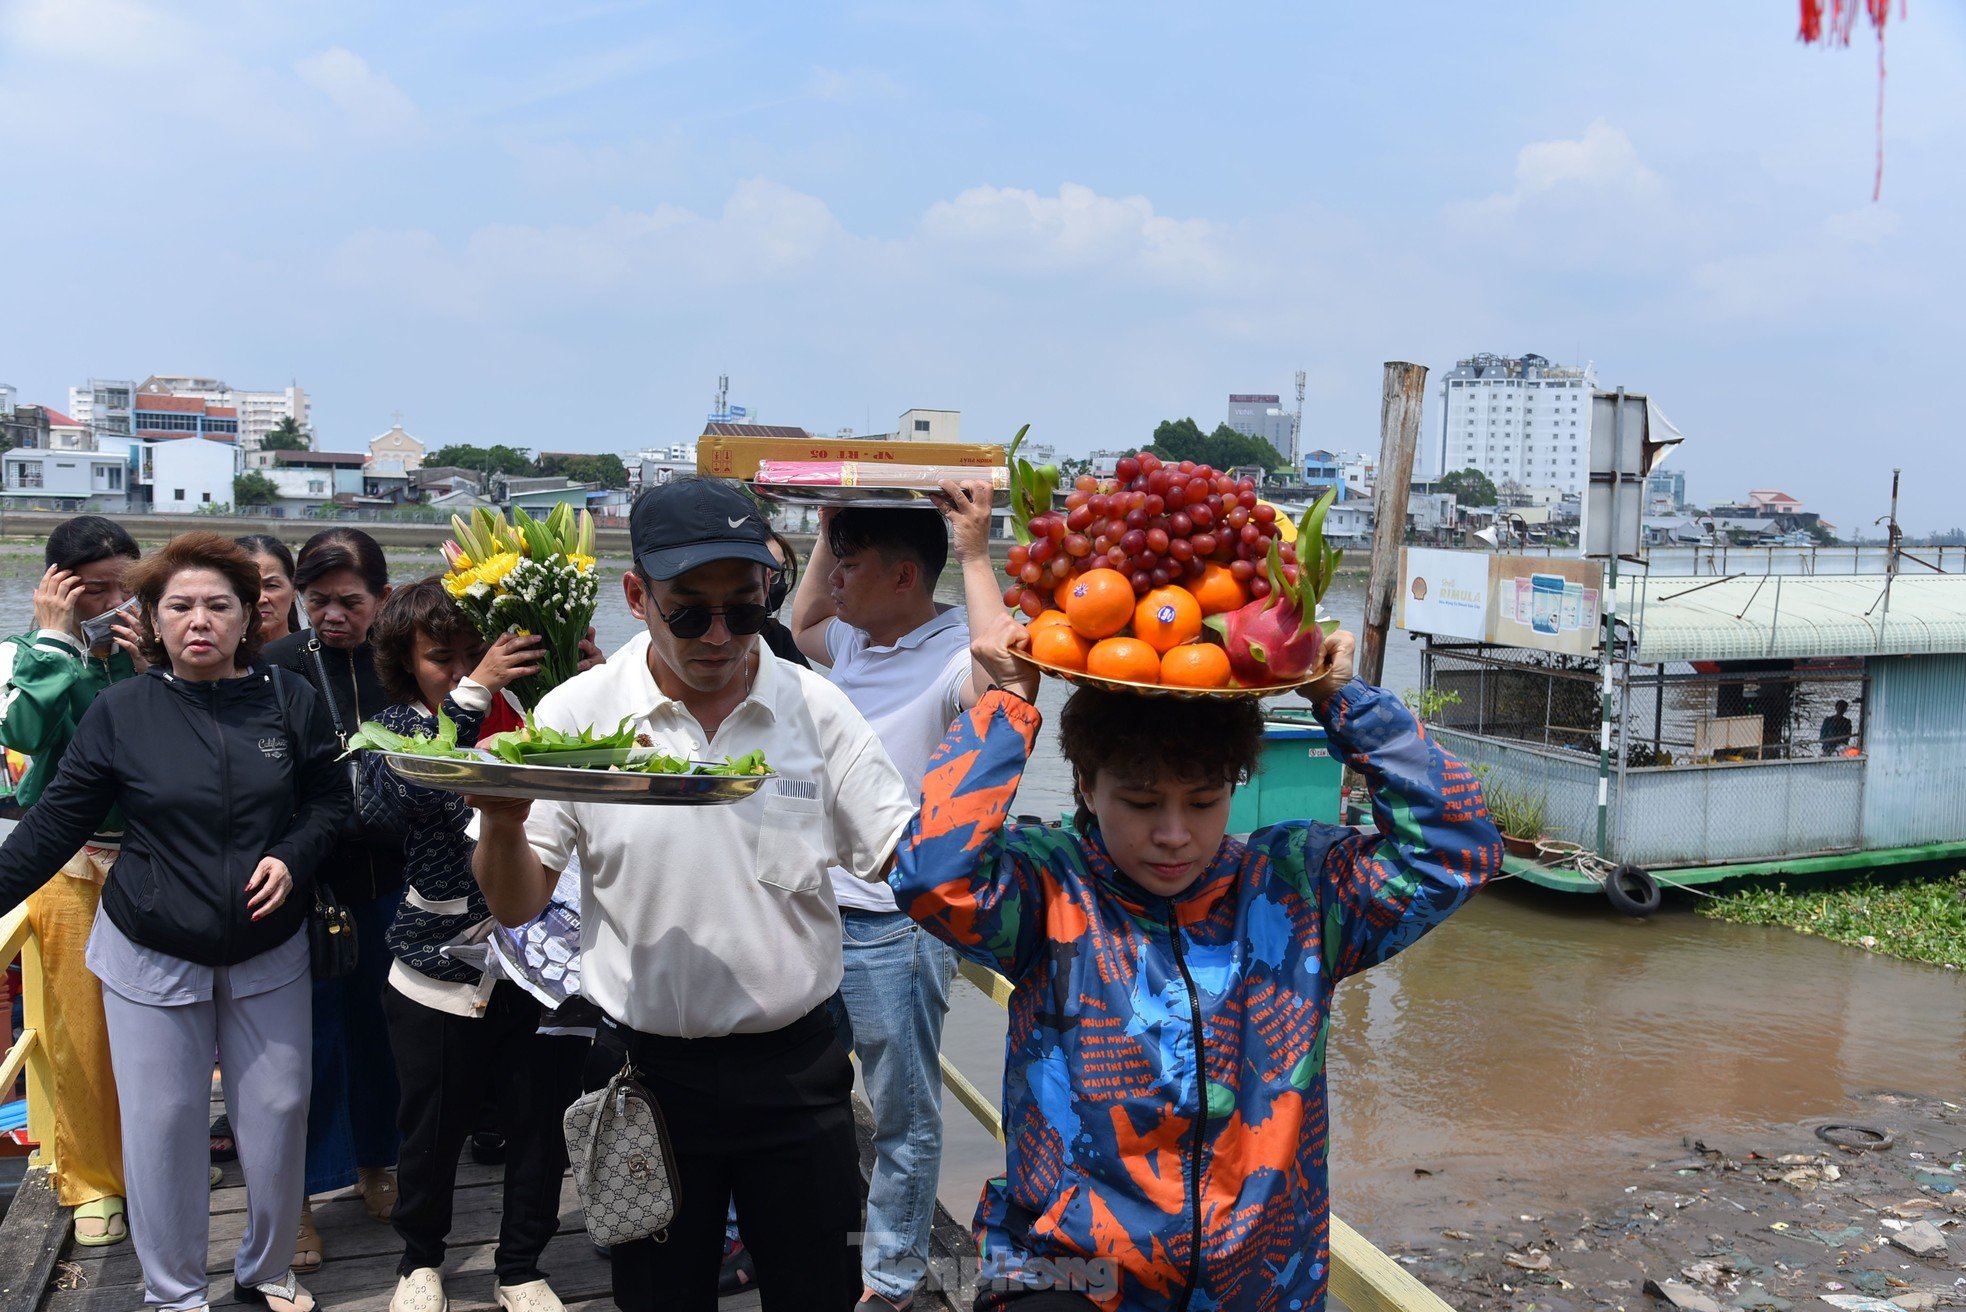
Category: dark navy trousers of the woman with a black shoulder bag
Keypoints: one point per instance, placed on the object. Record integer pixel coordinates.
(351, 1116)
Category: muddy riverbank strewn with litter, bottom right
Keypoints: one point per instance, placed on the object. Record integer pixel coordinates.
(1865, 1213)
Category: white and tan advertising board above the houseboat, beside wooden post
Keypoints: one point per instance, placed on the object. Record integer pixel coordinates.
(1550, 605)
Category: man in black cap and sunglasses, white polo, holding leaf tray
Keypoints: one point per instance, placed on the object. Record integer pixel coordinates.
(711, 937)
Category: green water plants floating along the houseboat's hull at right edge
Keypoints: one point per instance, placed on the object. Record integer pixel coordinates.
(1912, 920)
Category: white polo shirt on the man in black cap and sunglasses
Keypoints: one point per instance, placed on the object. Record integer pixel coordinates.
(705, 922)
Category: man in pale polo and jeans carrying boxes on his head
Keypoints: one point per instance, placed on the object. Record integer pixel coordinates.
(868, 609)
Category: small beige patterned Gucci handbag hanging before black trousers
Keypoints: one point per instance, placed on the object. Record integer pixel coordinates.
(624, 1169)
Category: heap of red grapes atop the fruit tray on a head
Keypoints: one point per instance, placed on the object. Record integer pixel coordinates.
(1155, 524)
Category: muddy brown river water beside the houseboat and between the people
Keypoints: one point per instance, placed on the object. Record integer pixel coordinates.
(1532, 1047)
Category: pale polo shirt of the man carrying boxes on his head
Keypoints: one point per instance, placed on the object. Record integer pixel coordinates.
(909, 695)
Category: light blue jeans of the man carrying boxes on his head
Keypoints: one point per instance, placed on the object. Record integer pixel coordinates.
(890, 1012)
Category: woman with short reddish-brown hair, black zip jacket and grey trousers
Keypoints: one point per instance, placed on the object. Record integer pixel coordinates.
(231, 794)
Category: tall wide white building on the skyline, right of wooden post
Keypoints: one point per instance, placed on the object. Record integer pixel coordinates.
(1519, 420)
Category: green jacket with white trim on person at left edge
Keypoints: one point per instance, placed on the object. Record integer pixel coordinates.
(46, 686)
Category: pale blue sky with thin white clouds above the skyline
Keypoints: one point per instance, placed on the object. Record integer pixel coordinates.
(555, 225)
